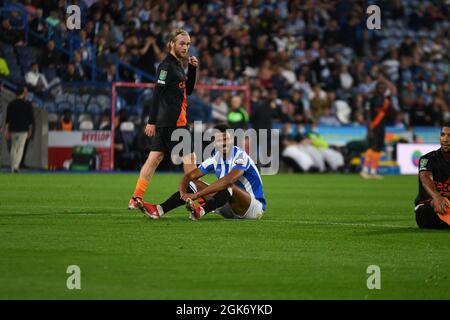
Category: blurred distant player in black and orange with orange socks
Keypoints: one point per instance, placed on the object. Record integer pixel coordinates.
(378, 107)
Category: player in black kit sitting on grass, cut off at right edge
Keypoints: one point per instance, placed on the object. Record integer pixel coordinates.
(432, 203)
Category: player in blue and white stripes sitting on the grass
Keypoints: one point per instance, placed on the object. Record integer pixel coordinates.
(238, 192)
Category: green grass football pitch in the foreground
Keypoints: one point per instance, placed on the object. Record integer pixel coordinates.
(317, 239)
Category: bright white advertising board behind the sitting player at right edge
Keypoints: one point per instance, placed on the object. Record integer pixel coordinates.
(408, 156)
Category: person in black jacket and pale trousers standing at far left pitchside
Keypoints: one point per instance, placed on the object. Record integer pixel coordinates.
(19, 126)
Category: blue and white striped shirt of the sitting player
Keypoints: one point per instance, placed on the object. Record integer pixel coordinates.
(250, 181)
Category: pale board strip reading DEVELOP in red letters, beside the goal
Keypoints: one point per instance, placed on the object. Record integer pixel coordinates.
(98, 139)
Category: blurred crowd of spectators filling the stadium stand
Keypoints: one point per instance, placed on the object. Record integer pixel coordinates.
(307, 61)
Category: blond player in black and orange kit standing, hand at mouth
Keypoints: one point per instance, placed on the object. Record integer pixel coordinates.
(168, 111)
